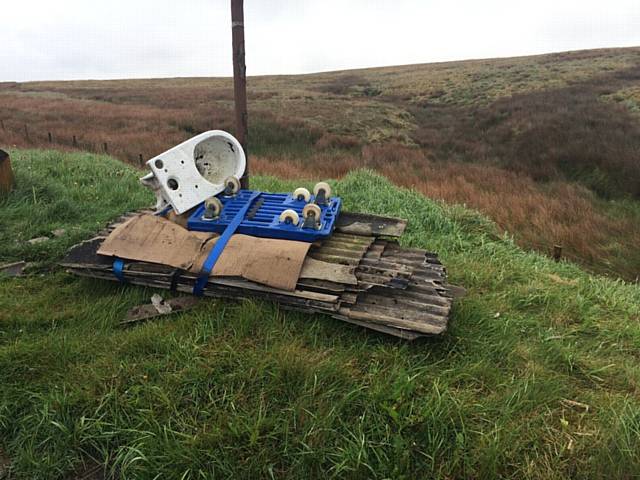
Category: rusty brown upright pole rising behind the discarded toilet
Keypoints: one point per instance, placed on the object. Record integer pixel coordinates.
(240, 81)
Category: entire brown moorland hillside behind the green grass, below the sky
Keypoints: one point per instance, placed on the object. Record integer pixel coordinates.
(547, 146)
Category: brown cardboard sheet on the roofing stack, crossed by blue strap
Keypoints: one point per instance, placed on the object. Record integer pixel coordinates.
(148, 238)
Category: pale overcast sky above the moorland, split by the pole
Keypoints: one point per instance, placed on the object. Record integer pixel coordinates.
(79, 39)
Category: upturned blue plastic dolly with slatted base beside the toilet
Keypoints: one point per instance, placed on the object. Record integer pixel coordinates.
(262, 219)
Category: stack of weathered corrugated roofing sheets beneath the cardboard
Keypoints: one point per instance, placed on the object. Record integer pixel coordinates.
(392, 289)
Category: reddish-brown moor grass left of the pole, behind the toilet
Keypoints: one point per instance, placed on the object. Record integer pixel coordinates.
(128, 130)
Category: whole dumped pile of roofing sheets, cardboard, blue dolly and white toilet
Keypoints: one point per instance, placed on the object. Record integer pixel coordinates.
(349, 266)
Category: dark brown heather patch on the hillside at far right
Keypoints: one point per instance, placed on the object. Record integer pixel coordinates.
(559, 133)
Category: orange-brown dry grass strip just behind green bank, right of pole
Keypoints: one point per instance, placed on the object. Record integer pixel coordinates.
(537, 215)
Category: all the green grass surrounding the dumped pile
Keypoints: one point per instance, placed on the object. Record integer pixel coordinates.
(245, 390)
